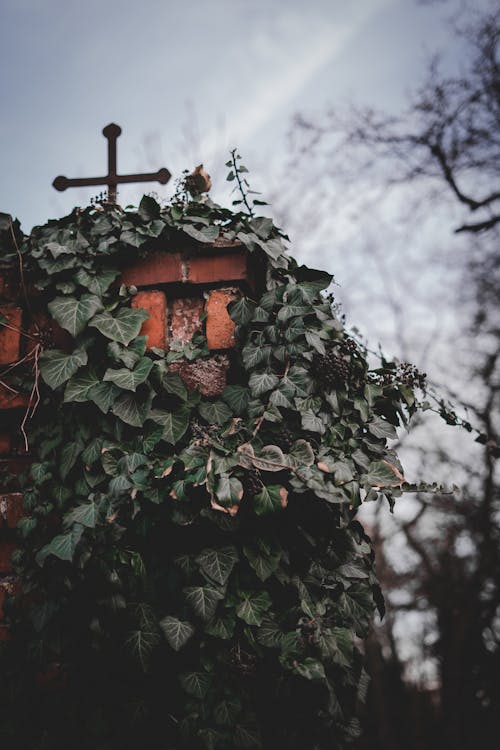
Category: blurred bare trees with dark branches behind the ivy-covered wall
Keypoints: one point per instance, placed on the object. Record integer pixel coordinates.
(430, 173)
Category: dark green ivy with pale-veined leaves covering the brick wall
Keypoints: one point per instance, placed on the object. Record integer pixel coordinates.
(192, 568)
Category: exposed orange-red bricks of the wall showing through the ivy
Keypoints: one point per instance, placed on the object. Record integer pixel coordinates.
(184, 292)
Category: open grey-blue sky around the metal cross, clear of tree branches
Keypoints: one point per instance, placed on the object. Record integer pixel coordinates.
(186, 82)
